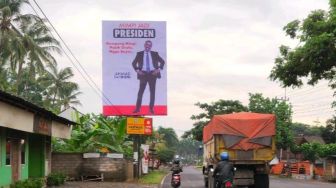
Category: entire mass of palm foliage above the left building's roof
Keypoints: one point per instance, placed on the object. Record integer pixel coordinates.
(26, 60)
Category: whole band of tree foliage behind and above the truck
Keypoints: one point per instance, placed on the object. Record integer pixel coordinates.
(257, 103)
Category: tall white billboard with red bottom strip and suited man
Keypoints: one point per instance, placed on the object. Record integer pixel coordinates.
(134, 68)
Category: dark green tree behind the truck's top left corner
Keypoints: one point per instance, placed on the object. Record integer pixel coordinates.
(215, 108)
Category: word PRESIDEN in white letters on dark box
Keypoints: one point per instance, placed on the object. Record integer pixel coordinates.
(134, 33)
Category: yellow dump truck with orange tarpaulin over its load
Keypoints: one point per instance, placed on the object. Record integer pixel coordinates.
(249, 138)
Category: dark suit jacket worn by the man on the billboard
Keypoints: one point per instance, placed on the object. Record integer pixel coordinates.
(158, 62)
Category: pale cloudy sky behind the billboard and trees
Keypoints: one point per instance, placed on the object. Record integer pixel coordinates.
(216, 49)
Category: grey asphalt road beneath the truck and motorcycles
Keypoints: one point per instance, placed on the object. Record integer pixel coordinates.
(193, 178)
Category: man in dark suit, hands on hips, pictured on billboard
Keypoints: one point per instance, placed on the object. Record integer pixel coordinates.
(147, 64)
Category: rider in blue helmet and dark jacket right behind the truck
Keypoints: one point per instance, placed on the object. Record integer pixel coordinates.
(224, 170)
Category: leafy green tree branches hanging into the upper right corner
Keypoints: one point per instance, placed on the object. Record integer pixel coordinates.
(315, 56)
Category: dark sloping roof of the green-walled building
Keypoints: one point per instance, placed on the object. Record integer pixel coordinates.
(23, 104)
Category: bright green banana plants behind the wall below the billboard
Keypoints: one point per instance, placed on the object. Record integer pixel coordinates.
(94, 133)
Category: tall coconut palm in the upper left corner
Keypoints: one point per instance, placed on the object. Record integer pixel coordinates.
(25, 40)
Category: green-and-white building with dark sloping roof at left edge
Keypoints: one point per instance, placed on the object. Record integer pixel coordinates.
(25, 138)
